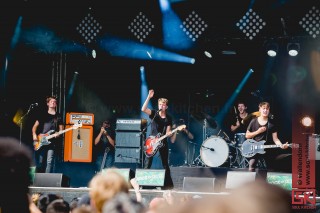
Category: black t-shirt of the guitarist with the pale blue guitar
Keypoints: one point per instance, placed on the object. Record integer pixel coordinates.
(267, 135)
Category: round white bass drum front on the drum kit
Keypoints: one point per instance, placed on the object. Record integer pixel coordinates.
(214, 151)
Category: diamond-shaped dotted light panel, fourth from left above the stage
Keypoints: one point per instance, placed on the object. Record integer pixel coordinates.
(251, 24)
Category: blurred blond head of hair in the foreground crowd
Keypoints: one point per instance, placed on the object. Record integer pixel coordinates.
(106, 185)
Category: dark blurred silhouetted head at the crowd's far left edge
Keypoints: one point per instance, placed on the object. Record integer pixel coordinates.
(15, 162)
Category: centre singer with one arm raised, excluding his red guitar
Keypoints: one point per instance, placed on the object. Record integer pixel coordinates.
(161, 124)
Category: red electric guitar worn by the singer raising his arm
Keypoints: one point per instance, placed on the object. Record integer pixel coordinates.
(153, 143)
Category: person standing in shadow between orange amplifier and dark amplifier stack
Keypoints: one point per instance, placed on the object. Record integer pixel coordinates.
(105, 146)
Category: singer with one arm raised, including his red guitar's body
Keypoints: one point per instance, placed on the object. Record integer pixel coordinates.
(161, 124)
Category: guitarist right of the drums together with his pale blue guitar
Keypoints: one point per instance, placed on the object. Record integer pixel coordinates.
(263, 132)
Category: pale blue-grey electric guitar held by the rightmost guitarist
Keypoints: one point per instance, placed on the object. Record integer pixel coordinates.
(251, 147)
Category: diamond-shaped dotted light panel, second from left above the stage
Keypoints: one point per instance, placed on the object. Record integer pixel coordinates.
(141, 27)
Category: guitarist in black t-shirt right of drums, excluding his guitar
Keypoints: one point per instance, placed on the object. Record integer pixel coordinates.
(261, 128)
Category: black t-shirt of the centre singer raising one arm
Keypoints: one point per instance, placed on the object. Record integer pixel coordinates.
(159, 125)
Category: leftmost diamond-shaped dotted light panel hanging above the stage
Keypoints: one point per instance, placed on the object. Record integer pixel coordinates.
(89, 28)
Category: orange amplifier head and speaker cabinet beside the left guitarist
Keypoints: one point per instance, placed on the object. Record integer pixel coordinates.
(78, 142)
